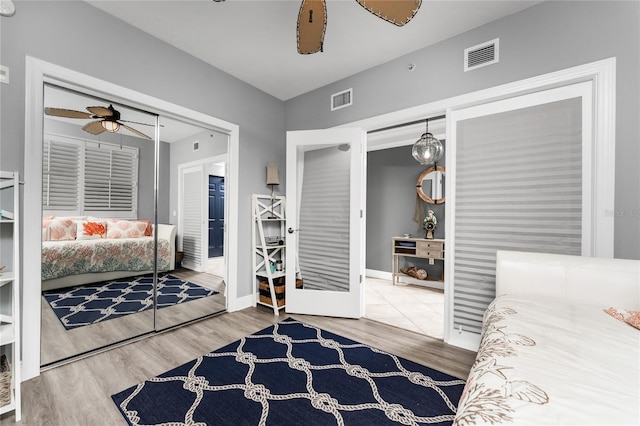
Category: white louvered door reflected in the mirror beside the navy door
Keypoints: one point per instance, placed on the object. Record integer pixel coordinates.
(192, 235)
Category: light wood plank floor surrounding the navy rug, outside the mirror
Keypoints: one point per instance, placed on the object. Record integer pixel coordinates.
(79, 393)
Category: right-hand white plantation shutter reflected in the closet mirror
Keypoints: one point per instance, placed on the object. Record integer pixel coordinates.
(110, 179)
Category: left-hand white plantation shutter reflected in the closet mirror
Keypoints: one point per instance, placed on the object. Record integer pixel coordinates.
(60, 175)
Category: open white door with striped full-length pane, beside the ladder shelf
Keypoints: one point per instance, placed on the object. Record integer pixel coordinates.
(325, 222)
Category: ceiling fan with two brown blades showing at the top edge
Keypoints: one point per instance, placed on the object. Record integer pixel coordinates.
(312, 19)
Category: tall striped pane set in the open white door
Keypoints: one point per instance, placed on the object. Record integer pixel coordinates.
(323, 219)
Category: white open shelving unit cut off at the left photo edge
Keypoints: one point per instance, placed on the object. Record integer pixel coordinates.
(10, 292)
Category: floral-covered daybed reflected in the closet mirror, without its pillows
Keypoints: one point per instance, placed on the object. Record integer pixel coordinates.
(76, 262)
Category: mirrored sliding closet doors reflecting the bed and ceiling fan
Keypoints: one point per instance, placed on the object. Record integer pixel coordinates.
(112, 269)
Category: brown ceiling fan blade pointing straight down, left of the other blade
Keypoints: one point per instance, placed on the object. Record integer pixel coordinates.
(312, 22)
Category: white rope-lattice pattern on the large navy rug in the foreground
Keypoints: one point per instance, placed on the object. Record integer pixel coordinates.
(199, 385)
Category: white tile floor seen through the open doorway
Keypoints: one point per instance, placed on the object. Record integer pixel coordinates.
(412, 307)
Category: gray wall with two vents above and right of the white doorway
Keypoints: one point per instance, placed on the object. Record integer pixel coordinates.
(547, 37)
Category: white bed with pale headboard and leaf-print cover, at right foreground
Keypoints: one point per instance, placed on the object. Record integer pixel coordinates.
(549, 352)
